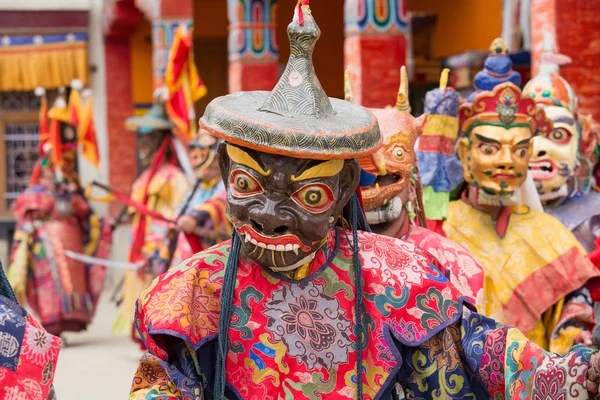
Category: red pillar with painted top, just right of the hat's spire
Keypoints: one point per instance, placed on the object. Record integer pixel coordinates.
(375, 48)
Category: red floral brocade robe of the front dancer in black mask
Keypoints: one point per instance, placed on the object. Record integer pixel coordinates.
(294, 339)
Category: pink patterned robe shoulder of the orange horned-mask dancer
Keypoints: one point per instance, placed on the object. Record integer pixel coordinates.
(453, 260)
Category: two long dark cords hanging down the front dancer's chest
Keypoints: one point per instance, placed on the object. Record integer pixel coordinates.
(357, 219)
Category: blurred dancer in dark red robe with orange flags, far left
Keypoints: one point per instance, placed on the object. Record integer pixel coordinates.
(53, 219)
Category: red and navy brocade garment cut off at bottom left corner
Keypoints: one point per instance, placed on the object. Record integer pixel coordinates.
(28, 355)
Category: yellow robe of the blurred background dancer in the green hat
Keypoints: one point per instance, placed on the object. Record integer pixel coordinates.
(166, 191)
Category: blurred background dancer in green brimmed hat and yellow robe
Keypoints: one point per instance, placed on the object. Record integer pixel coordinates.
(160, 189)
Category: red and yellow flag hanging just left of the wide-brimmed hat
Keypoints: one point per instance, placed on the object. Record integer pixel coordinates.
(184, 84)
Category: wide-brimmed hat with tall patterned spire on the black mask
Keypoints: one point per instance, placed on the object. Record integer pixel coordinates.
(297, 118)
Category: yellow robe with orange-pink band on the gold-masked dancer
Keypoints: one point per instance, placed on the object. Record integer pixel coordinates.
(535, 271)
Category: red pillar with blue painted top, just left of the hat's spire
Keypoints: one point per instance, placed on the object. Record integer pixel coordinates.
(253, 51)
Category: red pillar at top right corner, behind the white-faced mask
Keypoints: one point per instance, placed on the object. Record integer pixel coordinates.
(574, 25)
